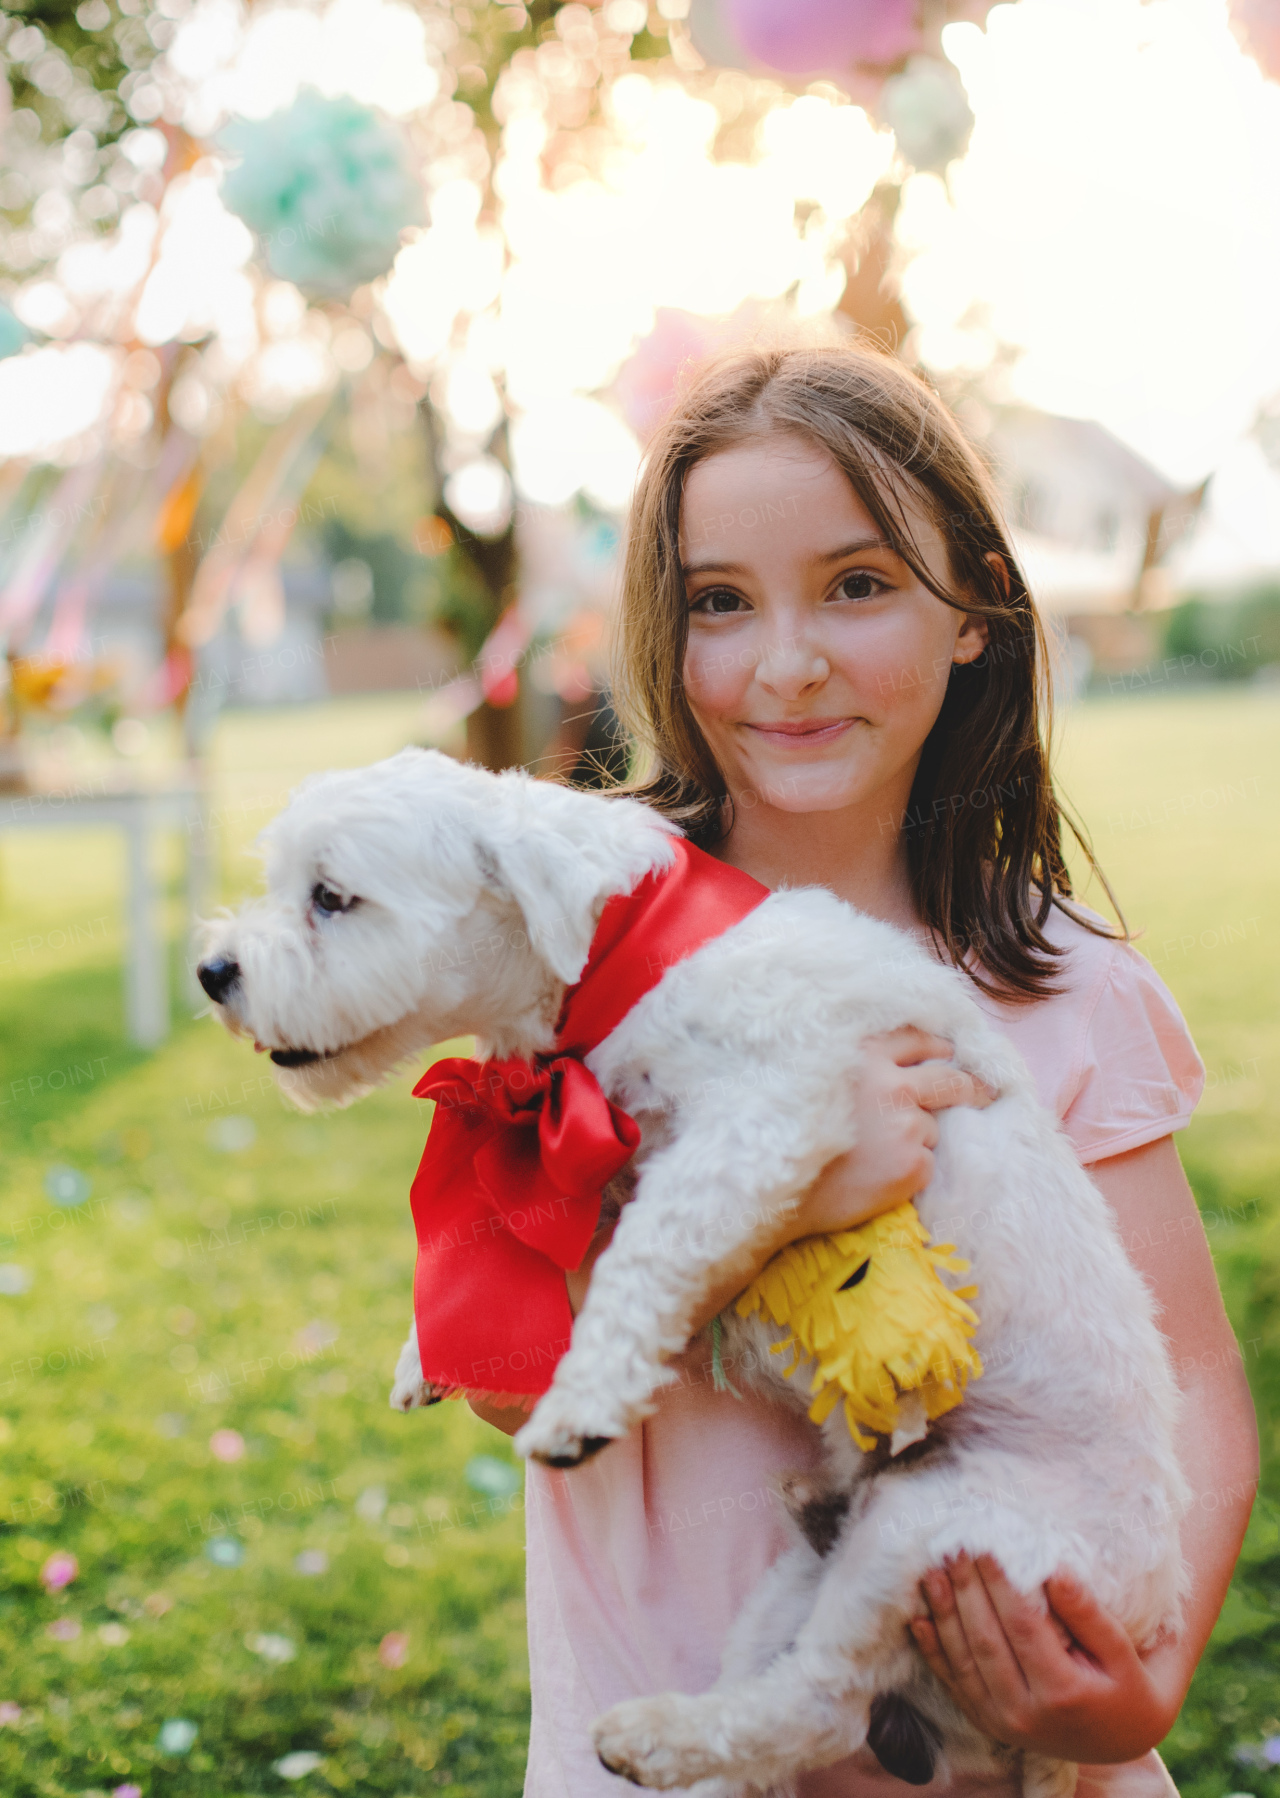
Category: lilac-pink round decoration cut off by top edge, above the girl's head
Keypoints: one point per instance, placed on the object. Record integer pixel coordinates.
(799, 37)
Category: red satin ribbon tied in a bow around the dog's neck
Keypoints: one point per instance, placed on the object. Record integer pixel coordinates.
(508, 1193)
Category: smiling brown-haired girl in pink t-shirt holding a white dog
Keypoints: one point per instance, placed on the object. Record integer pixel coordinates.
(837, 673)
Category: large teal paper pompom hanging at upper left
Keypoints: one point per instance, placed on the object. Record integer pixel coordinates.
(326, 188)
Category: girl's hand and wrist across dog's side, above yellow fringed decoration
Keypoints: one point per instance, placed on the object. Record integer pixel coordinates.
(907, 1078)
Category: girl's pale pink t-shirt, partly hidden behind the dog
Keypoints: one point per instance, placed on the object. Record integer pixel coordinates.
(641, 1560)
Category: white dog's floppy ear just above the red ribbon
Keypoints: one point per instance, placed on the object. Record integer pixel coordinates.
(558, 887)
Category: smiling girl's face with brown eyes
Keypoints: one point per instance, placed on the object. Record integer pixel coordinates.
(817, 663)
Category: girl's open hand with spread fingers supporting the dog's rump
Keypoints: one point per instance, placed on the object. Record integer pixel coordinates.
(1053, 1673)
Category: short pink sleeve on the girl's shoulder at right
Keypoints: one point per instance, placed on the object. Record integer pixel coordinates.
(1139, 1074)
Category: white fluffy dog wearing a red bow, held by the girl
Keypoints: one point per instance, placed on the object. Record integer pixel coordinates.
(423, 900)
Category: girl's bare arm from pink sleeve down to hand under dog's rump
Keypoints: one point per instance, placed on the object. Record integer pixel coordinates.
(1069, 1682)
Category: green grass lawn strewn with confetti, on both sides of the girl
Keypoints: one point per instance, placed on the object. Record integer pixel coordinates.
(236, 1285)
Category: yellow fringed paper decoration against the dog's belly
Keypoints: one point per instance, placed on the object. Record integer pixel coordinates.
(871, 1312)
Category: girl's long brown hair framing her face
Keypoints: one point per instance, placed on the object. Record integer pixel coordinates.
(984, 828)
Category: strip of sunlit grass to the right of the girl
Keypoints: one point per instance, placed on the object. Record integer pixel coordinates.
(1186, 819)
